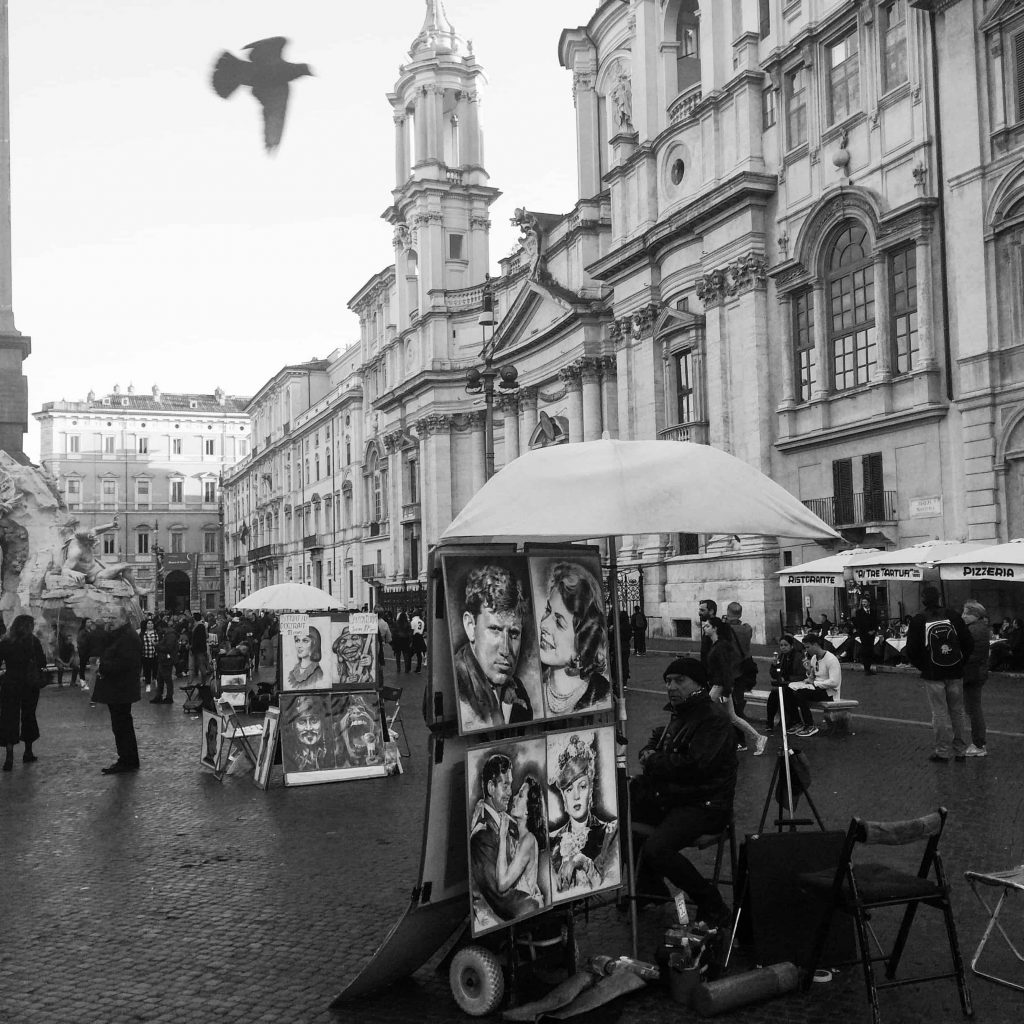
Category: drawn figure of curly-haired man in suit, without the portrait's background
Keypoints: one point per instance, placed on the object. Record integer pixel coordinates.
(491, 696)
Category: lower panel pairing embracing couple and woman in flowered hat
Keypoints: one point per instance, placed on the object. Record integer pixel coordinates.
(542, 824)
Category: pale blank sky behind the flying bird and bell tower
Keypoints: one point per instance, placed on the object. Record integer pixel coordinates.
(154, 240)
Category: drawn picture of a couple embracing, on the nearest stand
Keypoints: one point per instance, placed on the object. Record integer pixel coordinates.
(508, 847)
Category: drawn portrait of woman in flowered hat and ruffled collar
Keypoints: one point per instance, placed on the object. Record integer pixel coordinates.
(583, 814)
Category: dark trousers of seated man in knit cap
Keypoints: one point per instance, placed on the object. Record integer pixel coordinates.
(660, 857)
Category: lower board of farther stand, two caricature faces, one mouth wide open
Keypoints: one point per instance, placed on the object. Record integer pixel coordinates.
(331, 737)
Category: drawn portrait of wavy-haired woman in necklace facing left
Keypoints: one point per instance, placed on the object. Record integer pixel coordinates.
(572, 635)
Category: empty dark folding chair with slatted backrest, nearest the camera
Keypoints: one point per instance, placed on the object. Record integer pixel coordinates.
(862, 889)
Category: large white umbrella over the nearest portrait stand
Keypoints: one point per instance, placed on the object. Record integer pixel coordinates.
(611, 488)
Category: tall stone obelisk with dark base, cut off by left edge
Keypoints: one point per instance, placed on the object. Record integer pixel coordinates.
(15, 347)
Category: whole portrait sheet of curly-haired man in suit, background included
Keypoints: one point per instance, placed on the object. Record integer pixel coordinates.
(494, 643)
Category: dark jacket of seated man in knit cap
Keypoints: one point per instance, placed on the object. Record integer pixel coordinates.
(694, 759)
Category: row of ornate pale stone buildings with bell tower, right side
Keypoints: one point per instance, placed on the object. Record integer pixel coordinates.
(796, 238)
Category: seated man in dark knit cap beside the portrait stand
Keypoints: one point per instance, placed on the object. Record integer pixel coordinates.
(687, 789)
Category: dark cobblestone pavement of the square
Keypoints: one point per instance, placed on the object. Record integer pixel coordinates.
(167, 897)
